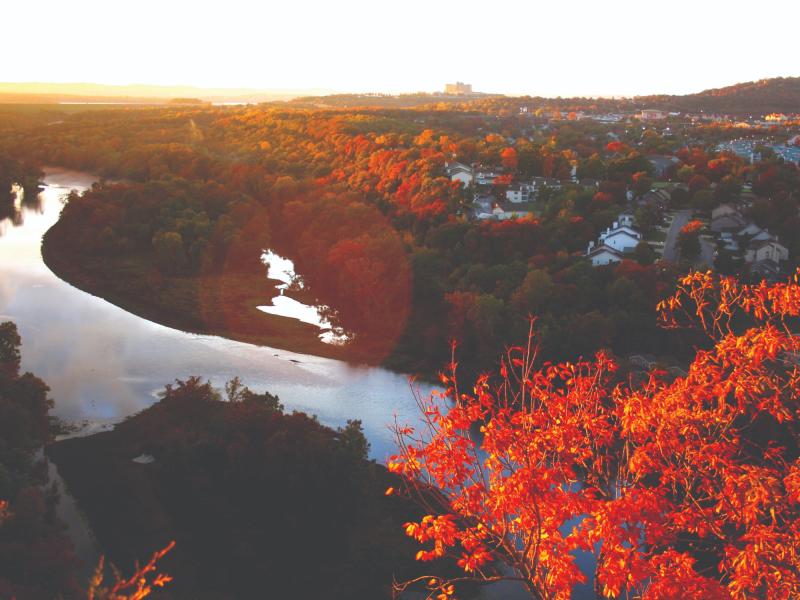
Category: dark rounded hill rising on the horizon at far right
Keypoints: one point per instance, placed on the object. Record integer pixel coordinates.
(779, 94)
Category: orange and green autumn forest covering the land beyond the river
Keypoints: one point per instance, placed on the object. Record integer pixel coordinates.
(360, 200)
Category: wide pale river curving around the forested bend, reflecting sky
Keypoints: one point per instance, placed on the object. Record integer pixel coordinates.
(103, 364)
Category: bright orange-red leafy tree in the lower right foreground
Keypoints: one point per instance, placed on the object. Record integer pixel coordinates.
(683, 488)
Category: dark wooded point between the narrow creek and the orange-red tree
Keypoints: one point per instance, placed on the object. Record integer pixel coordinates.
(257, 500)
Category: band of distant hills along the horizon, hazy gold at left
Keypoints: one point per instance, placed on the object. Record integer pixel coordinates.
(780, 94)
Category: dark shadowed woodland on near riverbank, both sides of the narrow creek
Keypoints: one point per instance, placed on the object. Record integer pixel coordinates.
(257, 500)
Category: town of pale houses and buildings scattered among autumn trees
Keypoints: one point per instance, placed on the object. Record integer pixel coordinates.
(670, 196)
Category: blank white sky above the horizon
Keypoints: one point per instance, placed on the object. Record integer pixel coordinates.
(539, 47)
